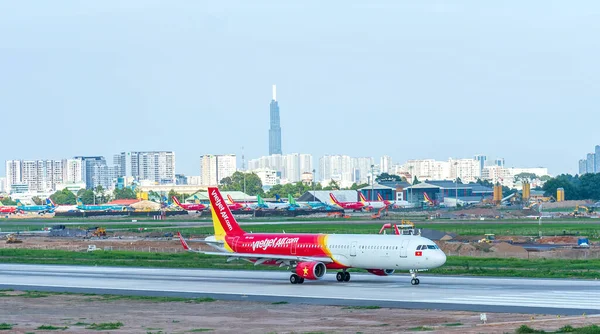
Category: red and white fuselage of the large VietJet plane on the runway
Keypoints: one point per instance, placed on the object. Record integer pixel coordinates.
(398, 252)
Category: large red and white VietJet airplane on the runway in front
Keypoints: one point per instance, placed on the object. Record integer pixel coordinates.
(310, 255)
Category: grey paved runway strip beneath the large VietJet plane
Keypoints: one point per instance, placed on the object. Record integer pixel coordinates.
(546, 296)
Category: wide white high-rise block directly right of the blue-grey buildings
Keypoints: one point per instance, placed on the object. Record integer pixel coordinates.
(156, 166)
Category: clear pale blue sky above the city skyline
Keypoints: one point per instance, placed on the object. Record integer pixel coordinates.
(409, 79)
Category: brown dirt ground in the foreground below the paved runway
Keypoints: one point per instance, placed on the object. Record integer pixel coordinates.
(77, 312)
